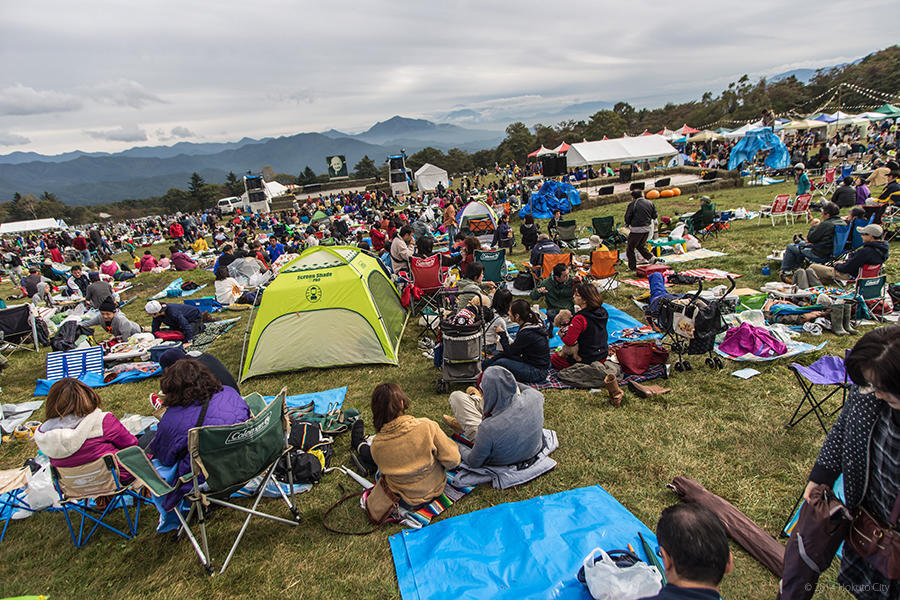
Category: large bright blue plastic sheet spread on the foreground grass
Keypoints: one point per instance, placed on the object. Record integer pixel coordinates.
(529, 549)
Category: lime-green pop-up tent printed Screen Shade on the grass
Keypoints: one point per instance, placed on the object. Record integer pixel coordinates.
(332, 305)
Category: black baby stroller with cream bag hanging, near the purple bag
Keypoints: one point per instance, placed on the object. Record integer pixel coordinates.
(691, 325)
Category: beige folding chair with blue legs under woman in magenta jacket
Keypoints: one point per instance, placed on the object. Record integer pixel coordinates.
(79, 486)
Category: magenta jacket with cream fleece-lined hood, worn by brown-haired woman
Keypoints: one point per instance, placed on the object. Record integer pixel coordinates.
(72, 441)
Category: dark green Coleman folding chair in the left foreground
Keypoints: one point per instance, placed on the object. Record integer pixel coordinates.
(228, 457)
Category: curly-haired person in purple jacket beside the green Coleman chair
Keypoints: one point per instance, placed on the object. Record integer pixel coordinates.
(193, 397)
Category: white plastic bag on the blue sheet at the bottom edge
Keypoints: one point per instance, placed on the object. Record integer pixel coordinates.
(606, 581)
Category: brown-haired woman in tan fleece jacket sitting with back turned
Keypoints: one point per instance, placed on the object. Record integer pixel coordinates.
(411, 453)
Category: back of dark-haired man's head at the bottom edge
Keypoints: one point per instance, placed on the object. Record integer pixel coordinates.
(695, 554)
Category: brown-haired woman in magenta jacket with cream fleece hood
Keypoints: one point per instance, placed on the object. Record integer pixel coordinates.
(76, 430)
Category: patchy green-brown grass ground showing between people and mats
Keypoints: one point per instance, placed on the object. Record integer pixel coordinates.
(726, 433)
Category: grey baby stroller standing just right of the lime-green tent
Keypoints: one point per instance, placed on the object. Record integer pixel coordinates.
(463, 341)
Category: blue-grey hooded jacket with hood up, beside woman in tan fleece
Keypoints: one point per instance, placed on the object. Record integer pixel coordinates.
(512, 429)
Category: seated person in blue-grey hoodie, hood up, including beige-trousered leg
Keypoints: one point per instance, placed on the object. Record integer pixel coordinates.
(505, 420)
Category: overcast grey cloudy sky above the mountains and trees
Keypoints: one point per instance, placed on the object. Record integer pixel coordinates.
(105, 76)
